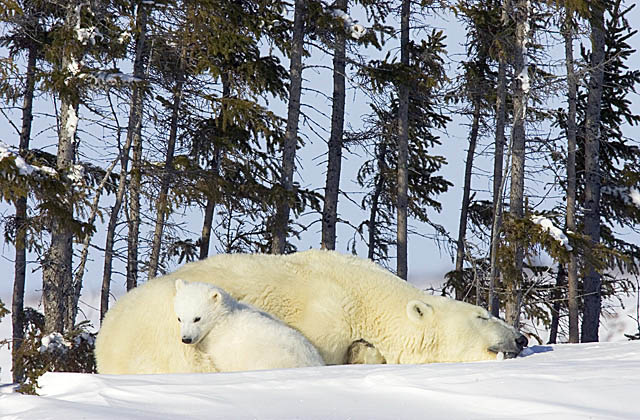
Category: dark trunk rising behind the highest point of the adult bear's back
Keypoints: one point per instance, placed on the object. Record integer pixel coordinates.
(332, 185)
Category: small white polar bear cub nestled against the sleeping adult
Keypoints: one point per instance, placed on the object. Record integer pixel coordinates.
(235, 336)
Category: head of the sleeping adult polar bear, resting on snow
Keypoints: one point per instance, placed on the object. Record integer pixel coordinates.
(446, 330)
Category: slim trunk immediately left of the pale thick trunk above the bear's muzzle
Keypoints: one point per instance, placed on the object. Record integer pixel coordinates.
(501, 99)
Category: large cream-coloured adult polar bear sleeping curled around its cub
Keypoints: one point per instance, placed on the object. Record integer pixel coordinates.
(333, 299)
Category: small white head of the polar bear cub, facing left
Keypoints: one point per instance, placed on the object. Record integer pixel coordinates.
(197, 306)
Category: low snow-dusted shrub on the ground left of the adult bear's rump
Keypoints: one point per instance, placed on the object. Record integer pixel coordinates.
(55, 352)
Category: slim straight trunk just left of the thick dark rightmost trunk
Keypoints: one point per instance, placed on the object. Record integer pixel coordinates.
(572, 274)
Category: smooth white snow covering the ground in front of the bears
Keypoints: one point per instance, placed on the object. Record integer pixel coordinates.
(597, 380)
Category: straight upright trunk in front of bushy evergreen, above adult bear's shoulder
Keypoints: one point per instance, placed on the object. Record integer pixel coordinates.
(403, 148)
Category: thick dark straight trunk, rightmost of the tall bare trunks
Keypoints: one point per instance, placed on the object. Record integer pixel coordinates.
(592, 281)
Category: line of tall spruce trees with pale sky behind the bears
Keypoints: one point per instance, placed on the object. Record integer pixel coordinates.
(161, 110)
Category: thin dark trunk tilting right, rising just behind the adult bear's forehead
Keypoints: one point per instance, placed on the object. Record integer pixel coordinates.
(466, 195)
